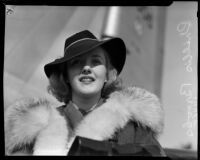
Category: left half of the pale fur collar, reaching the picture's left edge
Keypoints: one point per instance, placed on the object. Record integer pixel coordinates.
(30, 119)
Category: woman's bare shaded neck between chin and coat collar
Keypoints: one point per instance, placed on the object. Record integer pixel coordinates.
(85, 103)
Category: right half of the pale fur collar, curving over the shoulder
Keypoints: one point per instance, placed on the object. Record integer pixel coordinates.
(129, 104)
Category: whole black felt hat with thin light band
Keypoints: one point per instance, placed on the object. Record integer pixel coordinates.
(84, 41)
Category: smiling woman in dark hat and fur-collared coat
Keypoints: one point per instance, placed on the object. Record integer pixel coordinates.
(97, 108)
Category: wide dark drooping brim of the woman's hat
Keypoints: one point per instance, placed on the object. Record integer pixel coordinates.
(115, 48)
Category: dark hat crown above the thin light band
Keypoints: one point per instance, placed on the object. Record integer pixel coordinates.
(78, 36)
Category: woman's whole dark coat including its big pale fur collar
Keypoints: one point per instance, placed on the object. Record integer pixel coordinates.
(129, 121)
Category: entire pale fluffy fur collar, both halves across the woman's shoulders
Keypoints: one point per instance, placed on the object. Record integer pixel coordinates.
(35, 119)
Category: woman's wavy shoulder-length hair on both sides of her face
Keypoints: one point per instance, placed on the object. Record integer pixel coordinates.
(62, 90)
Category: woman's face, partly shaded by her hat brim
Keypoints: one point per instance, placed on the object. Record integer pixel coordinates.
(87, 73)
